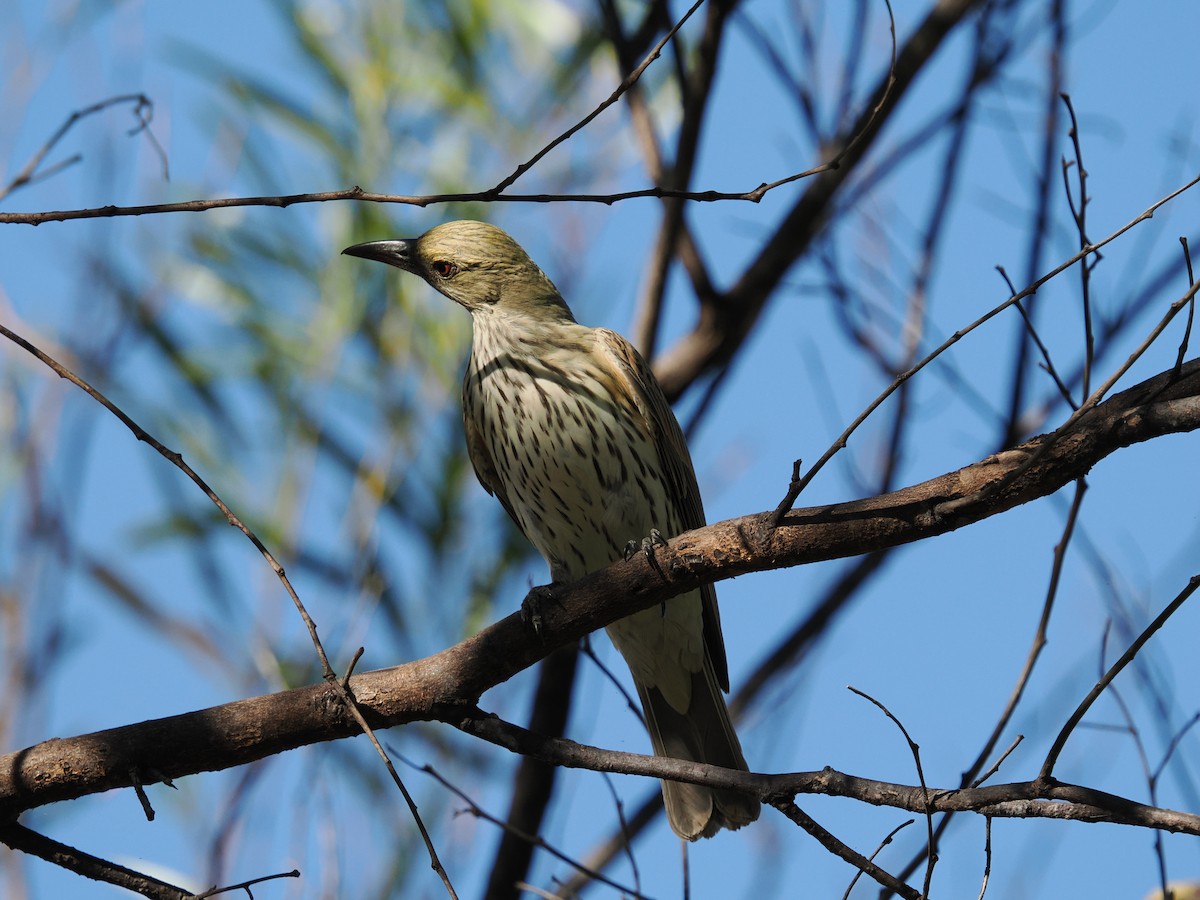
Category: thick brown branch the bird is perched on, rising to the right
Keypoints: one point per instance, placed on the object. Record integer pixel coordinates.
(446, 687)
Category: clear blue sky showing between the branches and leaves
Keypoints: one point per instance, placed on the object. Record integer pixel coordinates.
(939, 637)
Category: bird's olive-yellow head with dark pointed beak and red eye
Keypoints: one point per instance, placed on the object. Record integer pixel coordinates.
(476, 265)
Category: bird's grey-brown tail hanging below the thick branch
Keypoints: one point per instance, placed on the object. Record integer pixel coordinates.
(701, 735)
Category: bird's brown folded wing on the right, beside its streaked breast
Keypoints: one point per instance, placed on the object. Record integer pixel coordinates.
(633, 377)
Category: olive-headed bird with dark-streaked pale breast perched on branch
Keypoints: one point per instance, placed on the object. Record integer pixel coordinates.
(568, 428)
